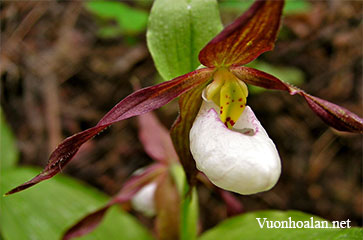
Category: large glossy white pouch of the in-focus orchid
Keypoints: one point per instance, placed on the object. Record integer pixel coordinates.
(242, 160)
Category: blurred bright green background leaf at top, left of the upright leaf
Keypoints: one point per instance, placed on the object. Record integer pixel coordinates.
(130, 20)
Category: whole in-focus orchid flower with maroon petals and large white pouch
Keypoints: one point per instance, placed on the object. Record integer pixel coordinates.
(222, 81)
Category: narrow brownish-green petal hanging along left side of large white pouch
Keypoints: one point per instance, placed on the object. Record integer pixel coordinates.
(189, 105)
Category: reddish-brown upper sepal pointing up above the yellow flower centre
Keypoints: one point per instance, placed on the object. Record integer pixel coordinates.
(246, 38)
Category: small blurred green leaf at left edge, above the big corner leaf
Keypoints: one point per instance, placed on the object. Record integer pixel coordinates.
(8, 152)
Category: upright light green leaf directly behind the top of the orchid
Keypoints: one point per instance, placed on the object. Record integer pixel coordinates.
(178, 31)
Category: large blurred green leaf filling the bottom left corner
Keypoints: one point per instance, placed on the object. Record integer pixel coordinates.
(46, 211)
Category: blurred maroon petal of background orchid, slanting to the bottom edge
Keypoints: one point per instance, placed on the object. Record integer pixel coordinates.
(131, 187)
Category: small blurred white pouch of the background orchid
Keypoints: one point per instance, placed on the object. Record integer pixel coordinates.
(143, 201)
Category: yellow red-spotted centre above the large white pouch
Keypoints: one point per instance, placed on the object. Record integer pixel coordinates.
(229, 93)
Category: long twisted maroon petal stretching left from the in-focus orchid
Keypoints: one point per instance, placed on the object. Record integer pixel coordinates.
(137, 103)
